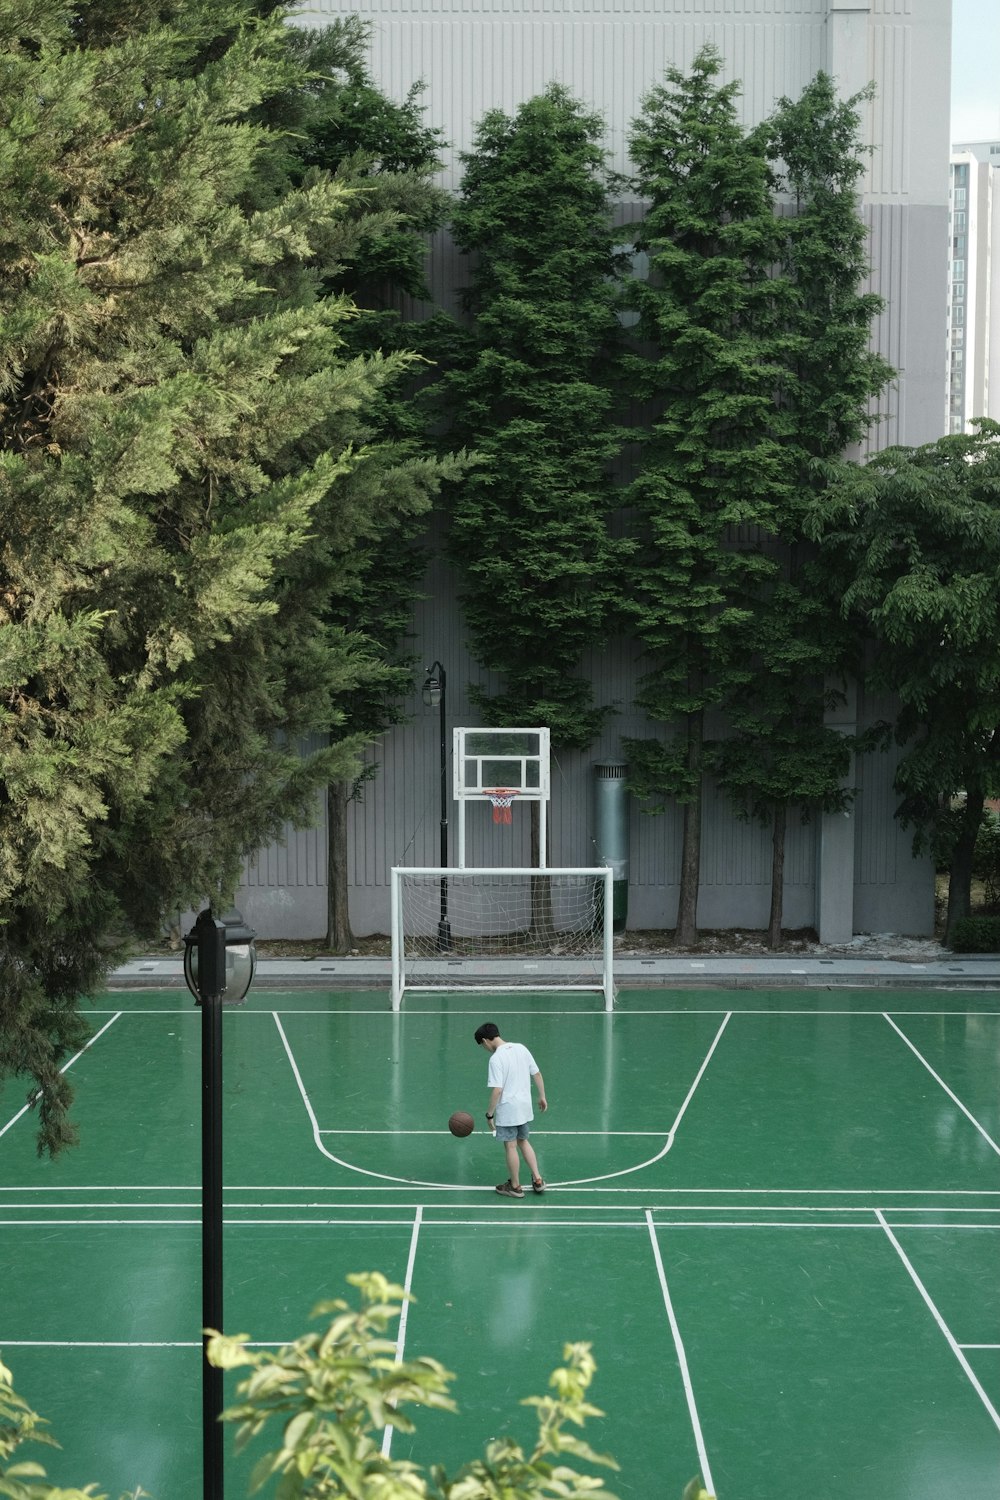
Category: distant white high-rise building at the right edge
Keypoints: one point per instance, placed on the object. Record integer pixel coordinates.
(974, 305)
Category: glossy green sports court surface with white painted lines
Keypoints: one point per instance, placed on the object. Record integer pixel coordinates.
(776, 1216)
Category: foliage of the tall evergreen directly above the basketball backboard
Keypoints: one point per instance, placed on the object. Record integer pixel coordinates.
(530, 526)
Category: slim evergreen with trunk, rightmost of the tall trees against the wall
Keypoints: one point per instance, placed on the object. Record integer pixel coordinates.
(779, 752)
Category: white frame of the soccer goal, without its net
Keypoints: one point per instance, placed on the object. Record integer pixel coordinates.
(504, 974)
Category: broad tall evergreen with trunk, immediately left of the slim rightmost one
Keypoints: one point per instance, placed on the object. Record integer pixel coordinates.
(713, 476)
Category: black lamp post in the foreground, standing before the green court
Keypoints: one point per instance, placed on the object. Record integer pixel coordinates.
(220, 968)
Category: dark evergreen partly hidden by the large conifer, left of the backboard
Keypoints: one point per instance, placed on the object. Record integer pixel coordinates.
(389, 157)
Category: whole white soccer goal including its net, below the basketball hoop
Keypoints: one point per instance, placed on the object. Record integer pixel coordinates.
(494, 929)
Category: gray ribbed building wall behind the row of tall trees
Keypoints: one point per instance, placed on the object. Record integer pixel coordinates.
(845, 874)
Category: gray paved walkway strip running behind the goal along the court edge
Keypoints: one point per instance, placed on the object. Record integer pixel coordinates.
(953, 971)
